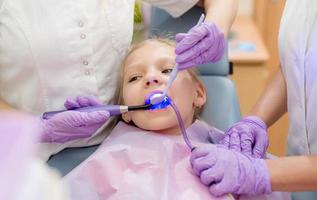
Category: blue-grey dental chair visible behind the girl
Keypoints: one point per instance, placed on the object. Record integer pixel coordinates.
(222, 107)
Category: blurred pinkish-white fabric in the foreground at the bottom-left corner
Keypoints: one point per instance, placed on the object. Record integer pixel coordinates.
(22, 175)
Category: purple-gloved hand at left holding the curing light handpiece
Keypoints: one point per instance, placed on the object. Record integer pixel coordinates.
(71, 125)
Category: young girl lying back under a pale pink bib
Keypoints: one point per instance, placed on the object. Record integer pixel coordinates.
(145, 157)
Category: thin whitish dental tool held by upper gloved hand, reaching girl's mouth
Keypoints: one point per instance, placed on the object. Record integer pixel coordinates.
(157, 99)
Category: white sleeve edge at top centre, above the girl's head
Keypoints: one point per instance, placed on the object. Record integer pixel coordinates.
(174, 7)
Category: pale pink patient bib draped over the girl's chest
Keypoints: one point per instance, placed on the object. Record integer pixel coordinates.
(136, 164)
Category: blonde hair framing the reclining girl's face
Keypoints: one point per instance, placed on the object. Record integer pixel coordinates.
(118, 94)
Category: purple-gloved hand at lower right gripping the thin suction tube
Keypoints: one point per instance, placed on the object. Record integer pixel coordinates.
(227, 171)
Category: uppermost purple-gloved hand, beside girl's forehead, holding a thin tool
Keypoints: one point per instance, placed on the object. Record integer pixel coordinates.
(202, 44)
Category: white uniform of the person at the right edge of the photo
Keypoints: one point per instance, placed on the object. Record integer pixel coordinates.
(298, 55)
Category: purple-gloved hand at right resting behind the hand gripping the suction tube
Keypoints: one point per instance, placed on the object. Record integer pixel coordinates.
(248, 136)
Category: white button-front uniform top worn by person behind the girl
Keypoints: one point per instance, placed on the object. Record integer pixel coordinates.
(53, 50)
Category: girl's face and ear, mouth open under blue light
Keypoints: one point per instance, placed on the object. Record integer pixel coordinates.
(147, 70)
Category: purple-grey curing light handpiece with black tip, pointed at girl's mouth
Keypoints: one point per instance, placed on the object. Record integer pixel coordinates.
(112, 109)
